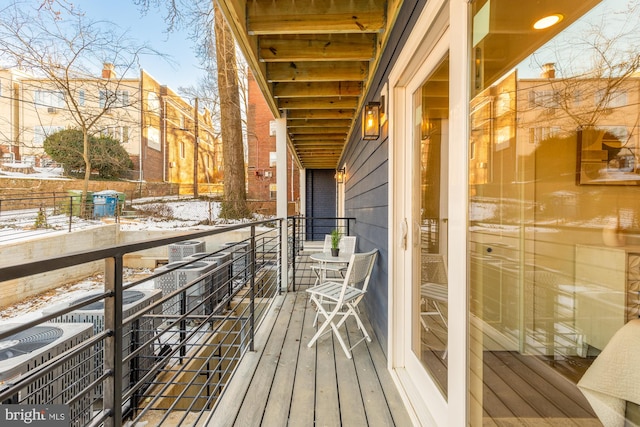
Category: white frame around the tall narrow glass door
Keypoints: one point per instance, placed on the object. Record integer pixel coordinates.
(425, 47)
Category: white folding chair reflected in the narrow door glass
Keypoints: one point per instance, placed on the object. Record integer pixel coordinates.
(433, 290)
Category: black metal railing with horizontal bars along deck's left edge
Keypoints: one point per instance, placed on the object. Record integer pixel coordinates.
(166, 357)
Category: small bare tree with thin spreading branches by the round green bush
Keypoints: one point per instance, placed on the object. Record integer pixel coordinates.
(56, 43)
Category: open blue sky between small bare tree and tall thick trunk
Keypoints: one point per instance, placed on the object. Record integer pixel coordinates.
(183, 70)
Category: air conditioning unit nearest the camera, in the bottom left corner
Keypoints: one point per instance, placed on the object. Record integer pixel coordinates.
(24, 351)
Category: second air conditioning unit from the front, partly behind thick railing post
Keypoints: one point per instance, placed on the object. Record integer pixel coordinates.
(134, 334)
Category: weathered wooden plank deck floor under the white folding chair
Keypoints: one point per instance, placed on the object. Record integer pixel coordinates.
(284, 383)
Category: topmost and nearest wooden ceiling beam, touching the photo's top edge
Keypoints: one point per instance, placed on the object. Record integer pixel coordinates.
(316, 17)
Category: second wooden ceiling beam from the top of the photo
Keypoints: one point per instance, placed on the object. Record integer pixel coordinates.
(323, 47)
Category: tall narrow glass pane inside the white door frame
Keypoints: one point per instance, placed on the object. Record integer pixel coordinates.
(429, 223)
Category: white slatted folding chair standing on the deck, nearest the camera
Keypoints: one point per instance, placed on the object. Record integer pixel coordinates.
(336, 301)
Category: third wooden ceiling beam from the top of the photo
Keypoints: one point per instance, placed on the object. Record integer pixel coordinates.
(317, 71)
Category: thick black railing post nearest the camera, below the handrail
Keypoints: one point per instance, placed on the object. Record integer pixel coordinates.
(112, 399)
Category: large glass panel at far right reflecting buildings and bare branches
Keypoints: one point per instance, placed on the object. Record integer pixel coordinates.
(554, 211)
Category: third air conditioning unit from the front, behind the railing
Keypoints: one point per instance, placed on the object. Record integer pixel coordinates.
(178, 278)
